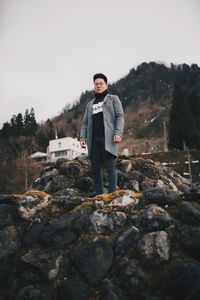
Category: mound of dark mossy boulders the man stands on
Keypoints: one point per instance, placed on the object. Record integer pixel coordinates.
(140, 242)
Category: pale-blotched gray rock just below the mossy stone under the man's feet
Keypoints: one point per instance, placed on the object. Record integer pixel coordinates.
(106, 223)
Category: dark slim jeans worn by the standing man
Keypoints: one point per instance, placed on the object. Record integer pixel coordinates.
(102, 158)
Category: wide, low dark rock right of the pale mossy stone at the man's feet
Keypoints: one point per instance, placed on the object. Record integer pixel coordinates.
(161, 196)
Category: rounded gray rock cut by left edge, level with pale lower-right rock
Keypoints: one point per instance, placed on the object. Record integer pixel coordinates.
(9, 242)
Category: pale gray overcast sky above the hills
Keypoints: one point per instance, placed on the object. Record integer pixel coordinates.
(50, 49)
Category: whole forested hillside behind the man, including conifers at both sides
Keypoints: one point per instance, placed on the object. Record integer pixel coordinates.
(158, 101)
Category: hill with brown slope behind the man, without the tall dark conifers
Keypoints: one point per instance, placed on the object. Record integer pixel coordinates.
(146, 96)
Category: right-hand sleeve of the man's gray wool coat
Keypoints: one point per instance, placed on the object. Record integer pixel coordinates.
(119, 116)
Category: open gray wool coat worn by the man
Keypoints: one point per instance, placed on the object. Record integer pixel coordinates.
(113, 117)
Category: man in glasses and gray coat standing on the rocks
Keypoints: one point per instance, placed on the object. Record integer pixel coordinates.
(102, 130)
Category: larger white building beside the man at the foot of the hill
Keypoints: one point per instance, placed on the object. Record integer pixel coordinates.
(64, 148)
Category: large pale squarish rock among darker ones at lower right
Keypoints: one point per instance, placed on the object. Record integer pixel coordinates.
(154, 247)
